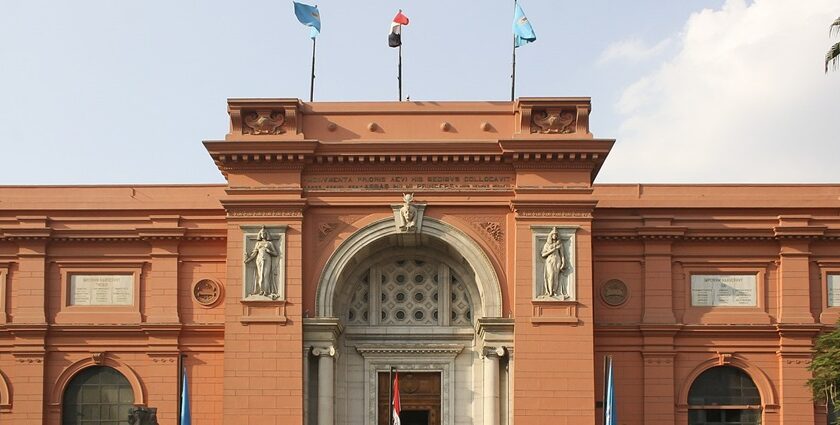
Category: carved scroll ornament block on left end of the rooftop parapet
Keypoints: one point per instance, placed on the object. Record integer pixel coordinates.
(264, 119)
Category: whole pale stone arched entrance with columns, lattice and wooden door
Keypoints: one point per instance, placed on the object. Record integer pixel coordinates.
(410, 301)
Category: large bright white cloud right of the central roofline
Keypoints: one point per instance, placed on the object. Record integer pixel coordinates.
(744, 100)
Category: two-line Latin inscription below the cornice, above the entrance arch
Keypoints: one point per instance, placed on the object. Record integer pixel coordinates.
(390, 183)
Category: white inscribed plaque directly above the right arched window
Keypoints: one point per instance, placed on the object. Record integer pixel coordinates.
(723, 290)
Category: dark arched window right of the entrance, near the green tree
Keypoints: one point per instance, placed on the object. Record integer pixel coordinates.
(724, 395)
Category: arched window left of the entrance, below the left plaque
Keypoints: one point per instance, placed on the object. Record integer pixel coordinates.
(98, 395)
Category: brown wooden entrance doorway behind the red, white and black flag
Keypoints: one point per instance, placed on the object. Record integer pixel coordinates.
(419, 398)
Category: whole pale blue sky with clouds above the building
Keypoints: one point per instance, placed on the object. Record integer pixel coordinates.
(693, 91)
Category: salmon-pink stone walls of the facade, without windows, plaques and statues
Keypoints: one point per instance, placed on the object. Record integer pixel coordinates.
(492, 172)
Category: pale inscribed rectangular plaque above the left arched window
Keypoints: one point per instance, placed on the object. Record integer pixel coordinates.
(101, 290)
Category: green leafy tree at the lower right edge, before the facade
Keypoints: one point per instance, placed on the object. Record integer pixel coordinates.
(825, 369)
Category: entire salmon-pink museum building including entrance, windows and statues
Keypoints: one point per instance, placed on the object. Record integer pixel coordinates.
(462, 243)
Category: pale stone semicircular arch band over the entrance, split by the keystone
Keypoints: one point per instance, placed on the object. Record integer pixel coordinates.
(485, 277)
